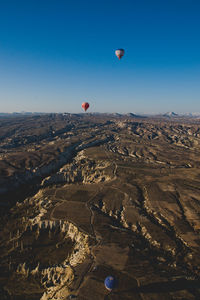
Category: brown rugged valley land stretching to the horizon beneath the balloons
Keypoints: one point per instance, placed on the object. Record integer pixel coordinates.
(87, 196)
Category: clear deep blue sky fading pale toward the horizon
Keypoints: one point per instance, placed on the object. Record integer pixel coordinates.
(56, 54)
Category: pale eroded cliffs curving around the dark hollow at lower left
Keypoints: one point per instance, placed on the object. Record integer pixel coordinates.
(43, 252)
